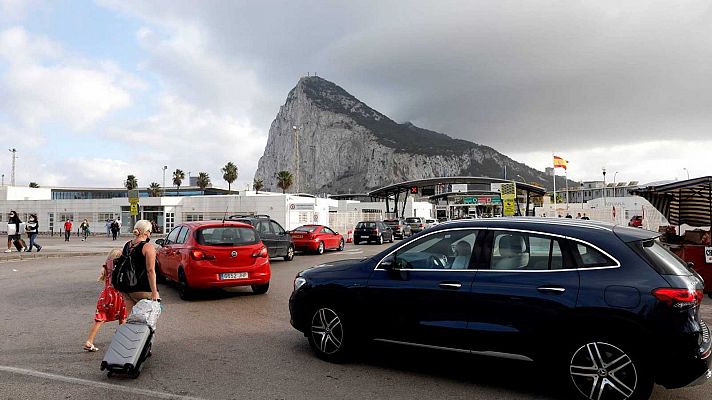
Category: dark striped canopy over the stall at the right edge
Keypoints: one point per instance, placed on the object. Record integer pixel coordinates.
(682, 202)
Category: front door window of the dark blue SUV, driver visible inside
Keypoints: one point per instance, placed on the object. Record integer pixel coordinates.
(442, 250)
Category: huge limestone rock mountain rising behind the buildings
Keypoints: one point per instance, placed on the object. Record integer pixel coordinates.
(333, 143)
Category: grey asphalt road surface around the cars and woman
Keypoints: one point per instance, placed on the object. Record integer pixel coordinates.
(227, 345)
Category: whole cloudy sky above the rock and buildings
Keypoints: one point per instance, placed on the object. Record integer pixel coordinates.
(91, 91)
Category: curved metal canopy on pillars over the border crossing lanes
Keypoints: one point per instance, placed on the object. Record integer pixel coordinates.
(404, 187)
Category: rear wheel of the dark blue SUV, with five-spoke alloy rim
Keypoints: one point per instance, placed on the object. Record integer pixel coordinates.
(607, 369)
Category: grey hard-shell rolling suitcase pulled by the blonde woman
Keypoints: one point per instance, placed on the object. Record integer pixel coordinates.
(129, 348)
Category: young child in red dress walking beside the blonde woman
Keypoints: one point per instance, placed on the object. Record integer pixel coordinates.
(110, 305)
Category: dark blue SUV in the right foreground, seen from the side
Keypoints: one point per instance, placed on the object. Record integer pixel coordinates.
(608, 306)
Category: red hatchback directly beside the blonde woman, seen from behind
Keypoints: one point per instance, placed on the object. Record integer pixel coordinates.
(213, 254)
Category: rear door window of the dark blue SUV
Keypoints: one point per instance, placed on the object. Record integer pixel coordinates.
(512, 250)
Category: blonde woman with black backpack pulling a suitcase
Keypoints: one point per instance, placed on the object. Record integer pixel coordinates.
(144, 261)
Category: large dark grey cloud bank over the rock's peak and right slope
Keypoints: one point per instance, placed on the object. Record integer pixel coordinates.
(510, 74)
